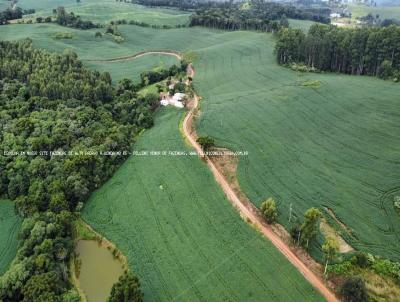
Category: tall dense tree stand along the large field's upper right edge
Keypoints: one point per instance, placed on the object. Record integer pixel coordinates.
(365, 51)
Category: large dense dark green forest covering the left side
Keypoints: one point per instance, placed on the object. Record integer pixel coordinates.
(50, 102)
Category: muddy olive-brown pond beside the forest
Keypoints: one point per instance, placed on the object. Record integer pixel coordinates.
(99, 270)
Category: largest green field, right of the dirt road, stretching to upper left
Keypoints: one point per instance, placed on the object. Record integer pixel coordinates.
(320, 140)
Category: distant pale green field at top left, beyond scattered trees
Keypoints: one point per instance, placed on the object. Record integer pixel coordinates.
(104, 11)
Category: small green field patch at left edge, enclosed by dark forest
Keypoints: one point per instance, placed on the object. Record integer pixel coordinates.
(9, 226)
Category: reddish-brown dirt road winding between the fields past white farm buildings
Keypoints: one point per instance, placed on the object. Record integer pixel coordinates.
(246, 210)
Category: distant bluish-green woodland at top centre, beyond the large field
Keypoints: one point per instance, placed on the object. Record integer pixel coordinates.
(254, 15)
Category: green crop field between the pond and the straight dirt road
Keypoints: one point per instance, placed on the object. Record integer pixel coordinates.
(182, 237)
